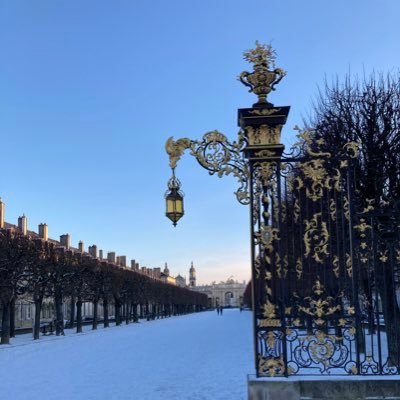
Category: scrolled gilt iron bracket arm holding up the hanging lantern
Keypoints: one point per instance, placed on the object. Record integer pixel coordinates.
(217, 155)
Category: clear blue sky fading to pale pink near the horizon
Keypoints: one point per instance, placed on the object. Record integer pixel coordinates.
(90, 91)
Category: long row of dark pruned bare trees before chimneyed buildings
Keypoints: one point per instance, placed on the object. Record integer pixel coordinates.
(41, 270)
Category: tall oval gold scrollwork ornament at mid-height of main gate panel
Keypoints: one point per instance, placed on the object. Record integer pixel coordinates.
(316, 238)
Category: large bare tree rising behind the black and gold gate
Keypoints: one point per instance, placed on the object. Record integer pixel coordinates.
(367, 111)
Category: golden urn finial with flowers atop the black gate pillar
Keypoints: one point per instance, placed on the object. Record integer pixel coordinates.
(264, 76)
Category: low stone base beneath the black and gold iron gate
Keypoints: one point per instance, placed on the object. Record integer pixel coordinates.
(331, 388)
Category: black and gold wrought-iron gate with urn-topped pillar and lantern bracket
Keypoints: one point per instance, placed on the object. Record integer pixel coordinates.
(325, 260)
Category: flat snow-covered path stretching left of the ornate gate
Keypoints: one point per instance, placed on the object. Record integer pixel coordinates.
(195, 357)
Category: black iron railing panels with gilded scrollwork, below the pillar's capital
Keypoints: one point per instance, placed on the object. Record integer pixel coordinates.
(326, 266)
